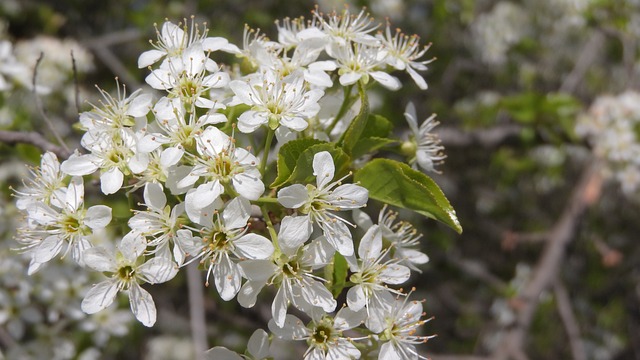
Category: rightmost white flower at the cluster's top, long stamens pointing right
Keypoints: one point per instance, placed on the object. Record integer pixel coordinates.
(401, 51)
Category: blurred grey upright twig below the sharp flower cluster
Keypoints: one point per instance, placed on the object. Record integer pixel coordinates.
(196, 310)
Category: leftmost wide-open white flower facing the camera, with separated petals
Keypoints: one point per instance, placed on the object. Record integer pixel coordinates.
(72, 225)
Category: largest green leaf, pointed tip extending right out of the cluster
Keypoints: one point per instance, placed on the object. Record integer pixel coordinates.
(397, 184)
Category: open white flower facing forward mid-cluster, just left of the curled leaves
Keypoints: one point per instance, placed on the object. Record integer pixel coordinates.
(221, 164)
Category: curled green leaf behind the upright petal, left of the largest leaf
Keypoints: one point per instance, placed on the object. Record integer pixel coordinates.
(303, 171)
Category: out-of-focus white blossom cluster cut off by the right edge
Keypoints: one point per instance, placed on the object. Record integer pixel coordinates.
(611, 126)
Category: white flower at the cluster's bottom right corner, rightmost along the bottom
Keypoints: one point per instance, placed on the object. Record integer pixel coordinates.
(399, 331)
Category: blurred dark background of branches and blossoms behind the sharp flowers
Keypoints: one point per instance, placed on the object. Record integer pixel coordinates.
(540, 120)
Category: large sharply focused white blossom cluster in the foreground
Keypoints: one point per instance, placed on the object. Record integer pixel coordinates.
(198, 157)
